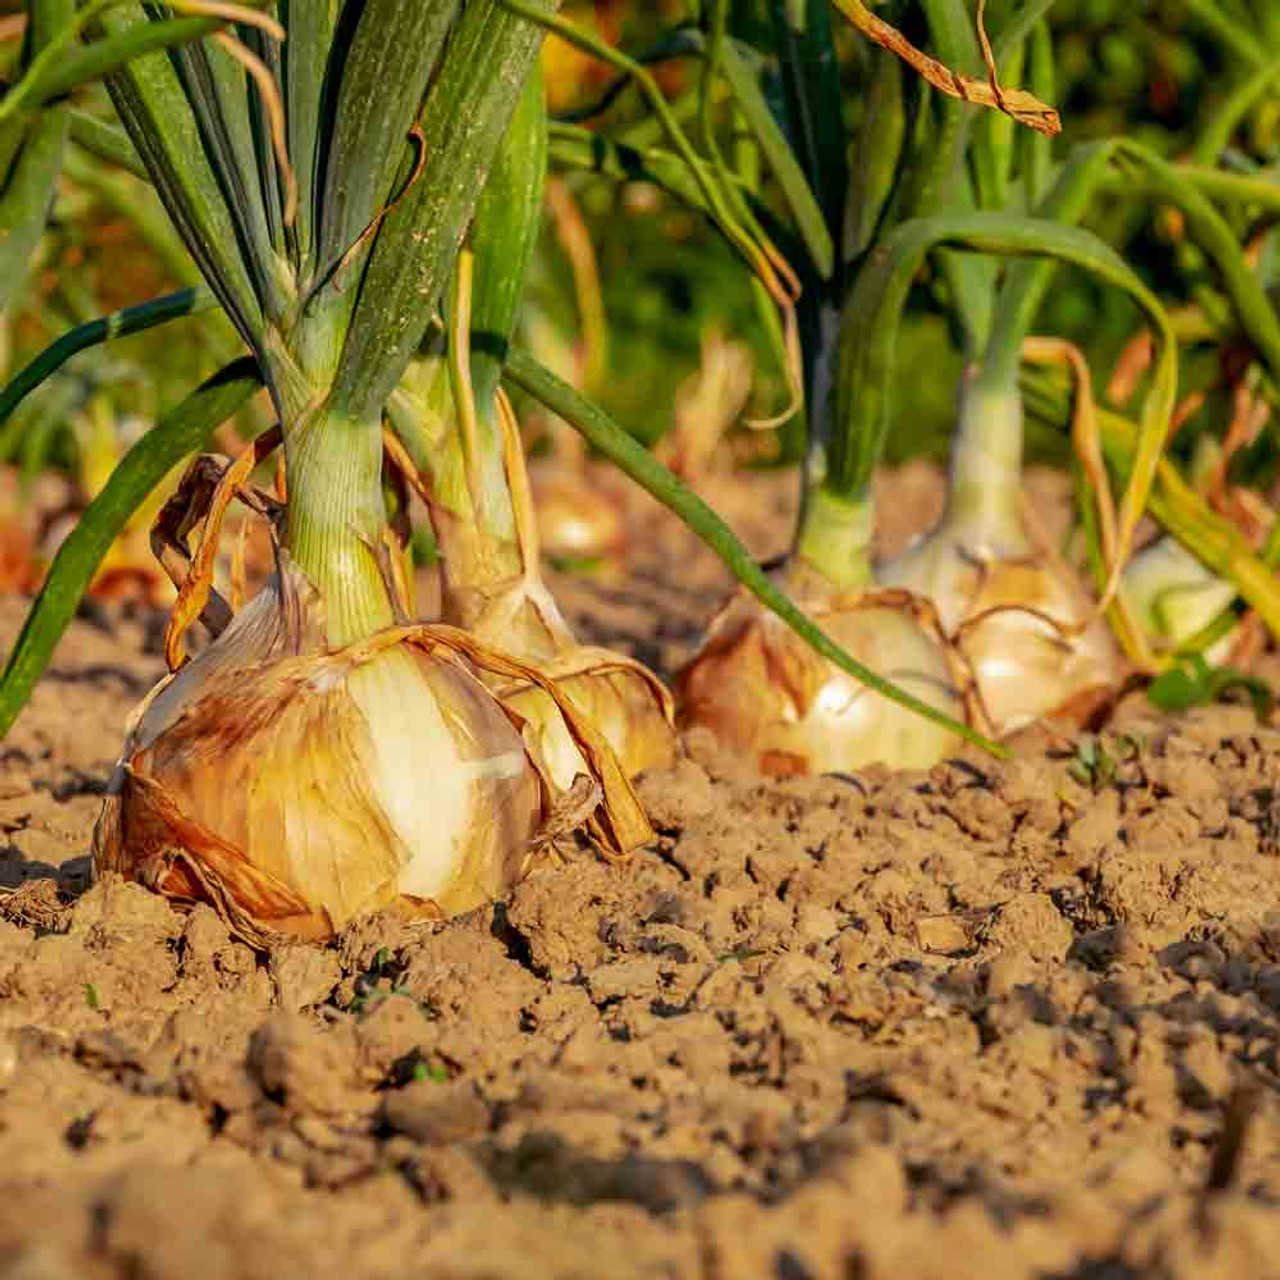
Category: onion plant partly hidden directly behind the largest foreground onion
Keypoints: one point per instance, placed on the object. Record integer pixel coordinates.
(465, 456)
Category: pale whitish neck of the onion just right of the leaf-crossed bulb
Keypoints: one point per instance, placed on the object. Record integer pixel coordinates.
(988, 463)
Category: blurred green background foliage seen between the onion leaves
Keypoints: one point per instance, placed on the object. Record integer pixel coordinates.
(630, 292)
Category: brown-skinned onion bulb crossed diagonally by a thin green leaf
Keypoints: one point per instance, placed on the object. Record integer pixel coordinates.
(769, 698)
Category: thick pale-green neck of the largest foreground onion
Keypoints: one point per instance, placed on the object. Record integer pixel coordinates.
(336, 519)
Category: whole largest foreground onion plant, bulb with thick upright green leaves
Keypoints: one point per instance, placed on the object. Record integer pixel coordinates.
(326, 757)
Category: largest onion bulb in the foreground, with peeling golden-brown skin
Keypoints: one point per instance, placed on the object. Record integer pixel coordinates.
(295, 789)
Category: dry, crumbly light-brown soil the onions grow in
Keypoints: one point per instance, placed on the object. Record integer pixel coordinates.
(988, 1021)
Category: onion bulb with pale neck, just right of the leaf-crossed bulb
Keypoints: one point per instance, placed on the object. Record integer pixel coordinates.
(1018, 615)
